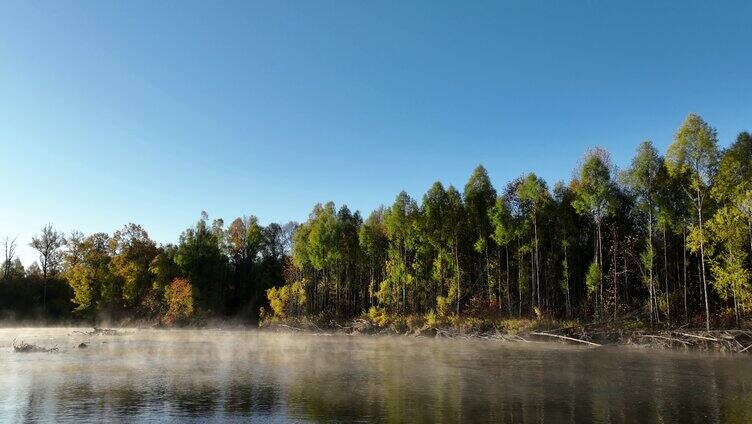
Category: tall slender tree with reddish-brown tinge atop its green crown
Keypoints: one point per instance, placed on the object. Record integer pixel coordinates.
(594, 195)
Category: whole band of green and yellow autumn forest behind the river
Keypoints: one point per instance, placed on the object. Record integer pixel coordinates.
(666, 239)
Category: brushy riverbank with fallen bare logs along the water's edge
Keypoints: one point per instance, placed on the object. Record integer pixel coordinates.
(625, 332)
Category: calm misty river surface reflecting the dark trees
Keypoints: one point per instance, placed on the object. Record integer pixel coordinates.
(241, 375)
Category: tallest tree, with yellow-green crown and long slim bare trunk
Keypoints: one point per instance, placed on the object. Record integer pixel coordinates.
(694, 154)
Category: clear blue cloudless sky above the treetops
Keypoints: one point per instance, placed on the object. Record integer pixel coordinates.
(150, 112)
